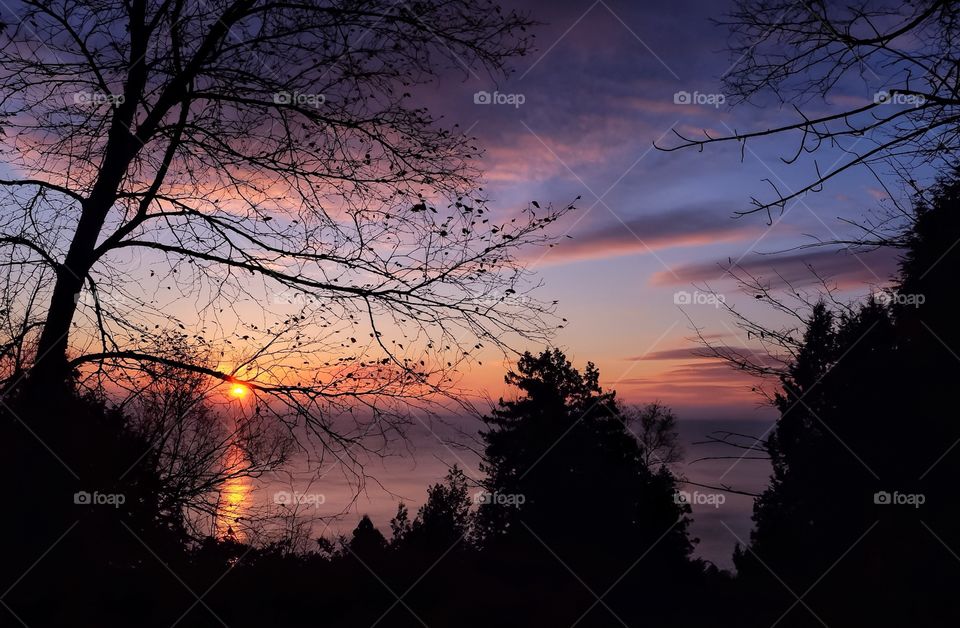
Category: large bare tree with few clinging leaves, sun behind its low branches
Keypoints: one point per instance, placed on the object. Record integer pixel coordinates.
(254, 176)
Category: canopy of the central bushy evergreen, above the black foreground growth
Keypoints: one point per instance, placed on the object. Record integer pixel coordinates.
(564, 440)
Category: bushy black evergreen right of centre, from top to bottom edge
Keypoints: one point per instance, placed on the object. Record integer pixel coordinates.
(568, 489)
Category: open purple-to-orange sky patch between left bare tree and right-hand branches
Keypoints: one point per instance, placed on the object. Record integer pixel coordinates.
(596, 95)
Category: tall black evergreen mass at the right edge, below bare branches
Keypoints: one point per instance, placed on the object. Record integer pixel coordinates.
(865, 422)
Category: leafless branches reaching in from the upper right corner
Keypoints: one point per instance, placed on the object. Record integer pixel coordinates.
(903, 53)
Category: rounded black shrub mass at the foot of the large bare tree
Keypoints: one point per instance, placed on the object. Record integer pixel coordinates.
(91, 498)
